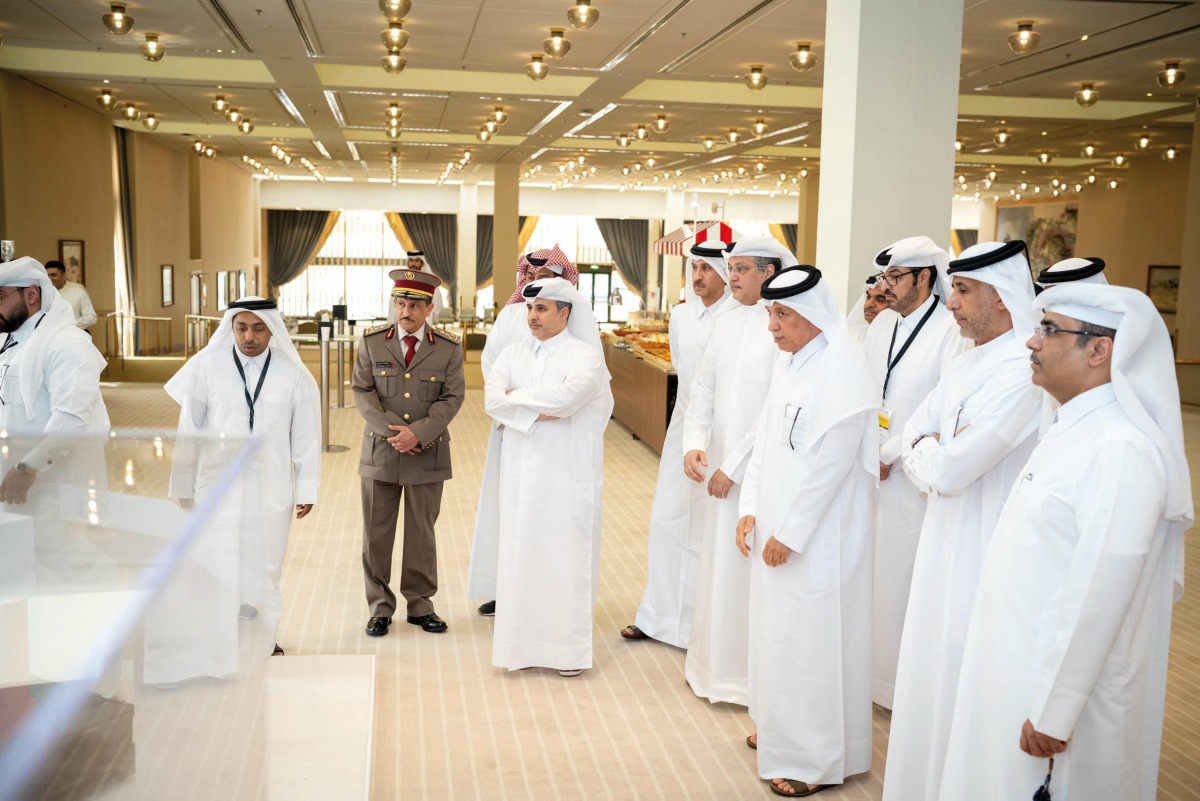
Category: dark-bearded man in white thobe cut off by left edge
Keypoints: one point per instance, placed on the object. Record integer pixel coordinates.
(50, 382)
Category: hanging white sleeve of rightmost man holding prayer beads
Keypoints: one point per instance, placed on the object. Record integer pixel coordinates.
(1118, 509)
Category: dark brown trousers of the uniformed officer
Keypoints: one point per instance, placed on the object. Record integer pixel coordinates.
(419, 561)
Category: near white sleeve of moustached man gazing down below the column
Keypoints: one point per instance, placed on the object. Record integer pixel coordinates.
(826, 474)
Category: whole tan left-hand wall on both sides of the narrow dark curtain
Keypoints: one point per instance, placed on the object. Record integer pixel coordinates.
(59, 183)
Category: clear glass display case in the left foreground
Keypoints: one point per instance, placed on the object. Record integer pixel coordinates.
(134, 628)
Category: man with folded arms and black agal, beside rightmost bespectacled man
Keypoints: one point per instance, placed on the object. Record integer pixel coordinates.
(964, 447)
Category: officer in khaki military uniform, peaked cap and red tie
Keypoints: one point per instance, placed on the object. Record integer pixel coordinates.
(409, 386)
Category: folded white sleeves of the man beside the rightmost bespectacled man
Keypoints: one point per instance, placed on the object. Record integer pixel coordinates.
(952, 465)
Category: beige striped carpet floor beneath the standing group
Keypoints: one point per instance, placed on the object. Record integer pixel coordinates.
(449, 726)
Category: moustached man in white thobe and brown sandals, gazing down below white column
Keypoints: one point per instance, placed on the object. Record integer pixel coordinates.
(807, 515)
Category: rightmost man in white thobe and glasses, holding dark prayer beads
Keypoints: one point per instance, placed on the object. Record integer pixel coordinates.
(1066, 655)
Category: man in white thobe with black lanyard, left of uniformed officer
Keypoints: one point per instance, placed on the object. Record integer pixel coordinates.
(249, 382)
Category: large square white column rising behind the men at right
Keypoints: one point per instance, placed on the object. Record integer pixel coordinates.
(889, 121)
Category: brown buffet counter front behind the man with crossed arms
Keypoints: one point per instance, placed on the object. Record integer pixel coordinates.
(644, 392)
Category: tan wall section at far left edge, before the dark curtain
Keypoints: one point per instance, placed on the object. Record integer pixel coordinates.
(58, 182)
